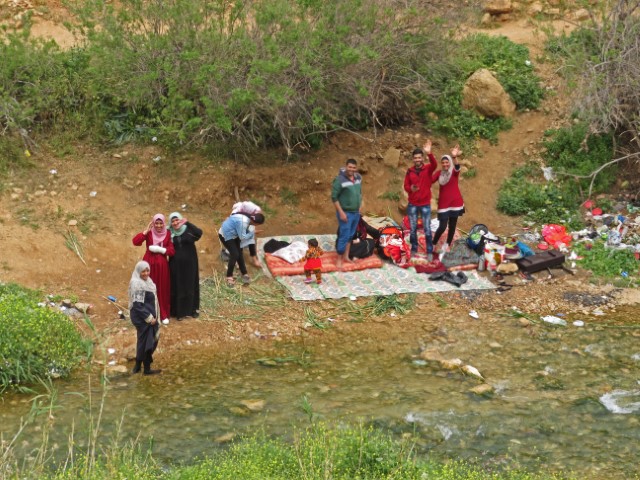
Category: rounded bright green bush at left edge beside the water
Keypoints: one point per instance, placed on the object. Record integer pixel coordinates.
(35, 341)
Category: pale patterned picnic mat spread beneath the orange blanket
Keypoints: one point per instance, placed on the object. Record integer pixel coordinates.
(386, 280)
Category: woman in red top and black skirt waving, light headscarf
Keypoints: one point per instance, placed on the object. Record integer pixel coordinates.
(450, 203)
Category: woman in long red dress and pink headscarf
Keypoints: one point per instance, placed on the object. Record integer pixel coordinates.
(159, 248)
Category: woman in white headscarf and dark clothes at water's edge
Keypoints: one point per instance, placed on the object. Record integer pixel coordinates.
(143, 308)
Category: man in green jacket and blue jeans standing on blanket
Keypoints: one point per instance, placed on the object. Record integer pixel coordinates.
(346, 195)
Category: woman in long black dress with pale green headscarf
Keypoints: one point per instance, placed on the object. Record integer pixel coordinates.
(185, 278)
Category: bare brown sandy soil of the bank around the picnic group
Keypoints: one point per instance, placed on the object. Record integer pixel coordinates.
(130, 187)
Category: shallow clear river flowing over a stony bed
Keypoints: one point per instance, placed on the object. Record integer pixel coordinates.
(566, 398)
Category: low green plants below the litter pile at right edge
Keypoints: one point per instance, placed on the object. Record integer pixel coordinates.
(607, 262)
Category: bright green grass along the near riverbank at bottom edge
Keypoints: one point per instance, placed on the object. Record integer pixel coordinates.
(318, 452)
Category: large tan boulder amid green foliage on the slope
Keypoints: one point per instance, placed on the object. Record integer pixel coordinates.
(483, 93)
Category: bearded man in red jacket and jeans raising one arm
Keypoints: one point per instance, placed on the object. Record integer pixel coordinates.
(417, 183)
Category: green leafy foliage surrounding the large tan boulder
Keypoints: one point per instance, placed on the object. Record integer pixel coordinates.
(506, 59)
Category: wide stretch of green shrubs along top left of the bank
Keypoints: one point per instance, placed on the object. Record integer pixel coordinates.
(246, 74)
